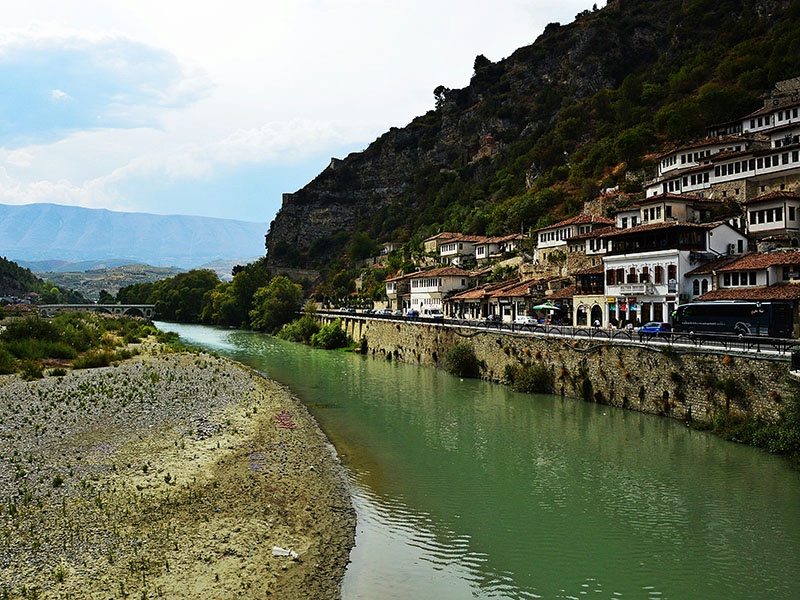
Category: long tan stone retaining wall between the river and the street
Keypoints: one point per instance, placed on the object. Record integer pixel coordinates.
(648, 378)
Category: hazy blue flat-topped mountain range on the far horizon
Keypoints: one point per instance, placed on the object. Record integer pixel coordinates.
(50, 232)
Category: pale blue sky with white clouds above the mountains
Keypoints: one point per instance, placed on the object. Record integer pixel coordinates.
(215, 108)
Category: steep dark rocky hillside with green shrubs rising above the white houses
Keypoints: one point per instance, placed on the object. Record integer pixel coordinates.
(536, 135)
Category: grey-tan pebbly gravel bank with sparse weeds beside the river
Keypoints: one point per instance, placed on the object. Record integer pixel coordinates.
(171, 475)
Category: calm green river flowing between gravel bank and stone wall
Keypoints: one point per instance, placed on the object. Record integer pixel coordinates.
(464, 489)
